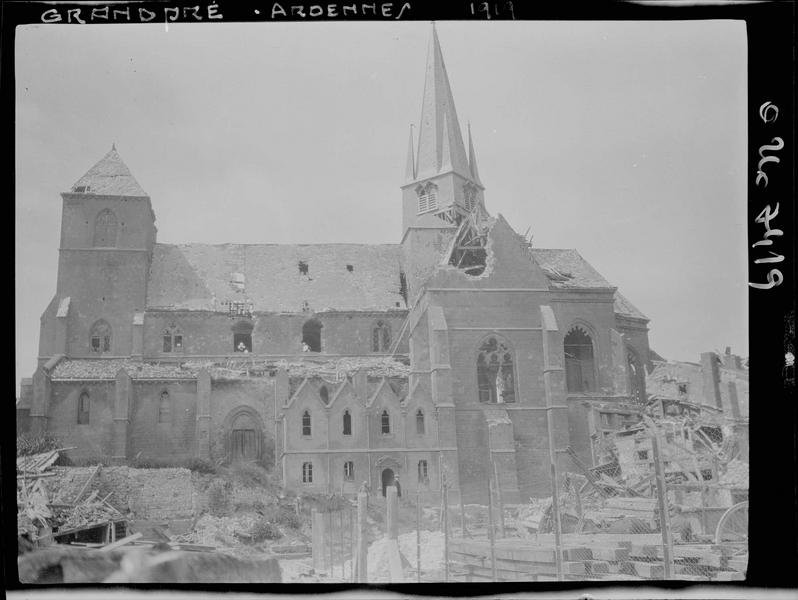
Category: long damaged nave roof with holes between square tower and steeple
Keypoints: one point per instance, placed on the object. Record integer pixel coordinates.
(204, 276)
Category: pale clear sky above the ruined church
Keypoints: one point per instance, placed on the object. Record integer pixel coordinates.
(625, 140)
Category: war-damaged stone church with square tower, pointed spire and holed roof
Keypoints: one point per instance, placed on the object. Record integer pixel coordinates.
(441, 355)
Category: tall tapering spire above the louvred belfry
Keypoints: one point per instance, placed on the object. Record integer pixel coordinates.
(440, 142)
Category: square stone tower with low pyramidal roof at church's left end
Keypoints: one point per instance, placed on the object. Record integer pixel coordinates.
(107, 238)
